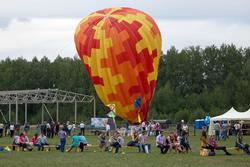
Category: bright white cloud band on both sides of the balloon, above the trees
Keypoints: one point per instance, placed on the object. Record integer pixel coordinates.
(50, 37)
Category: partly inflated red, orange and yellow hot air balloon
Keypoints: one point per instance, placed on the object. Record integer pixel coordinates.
(120, 48)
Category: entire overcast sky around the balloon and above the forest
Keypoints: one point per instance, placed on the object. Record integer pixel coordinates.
(31, 28)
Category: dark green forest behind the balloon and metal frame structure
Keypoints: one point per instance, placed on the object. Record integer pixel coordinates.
(192, 83)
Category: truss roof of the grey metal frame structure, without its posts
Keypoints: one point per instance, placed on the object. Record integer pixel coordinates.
(42, 96)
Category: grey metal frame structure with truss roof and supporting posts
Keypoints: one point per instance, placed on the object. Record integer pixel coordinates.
(44, 96)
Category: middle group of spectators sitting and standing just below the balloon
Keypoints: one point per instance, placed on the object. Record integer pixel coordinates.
(139, 138)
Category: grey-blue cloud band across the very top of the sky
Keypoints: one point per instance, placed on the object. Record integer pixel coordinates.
(160, 9)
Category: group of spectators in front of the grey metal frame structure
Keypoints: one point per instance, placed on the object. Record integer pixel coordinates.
(43, 131)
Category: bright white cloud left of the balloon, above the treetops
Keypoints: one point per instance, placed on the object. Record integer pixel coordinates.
(38, 37)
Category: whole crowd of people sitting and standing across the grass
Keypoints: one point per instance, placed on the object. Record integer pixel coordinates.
(111, 141)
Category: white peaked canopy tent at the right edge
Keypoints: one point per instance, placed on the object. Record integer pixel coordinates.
(230, 115)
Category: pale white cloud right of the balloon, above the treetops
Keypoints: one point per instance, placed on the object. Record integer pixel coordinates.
(185, 33)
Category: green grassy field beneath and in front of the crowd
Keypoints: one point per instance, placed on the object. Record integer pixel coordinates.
(94, 157)
